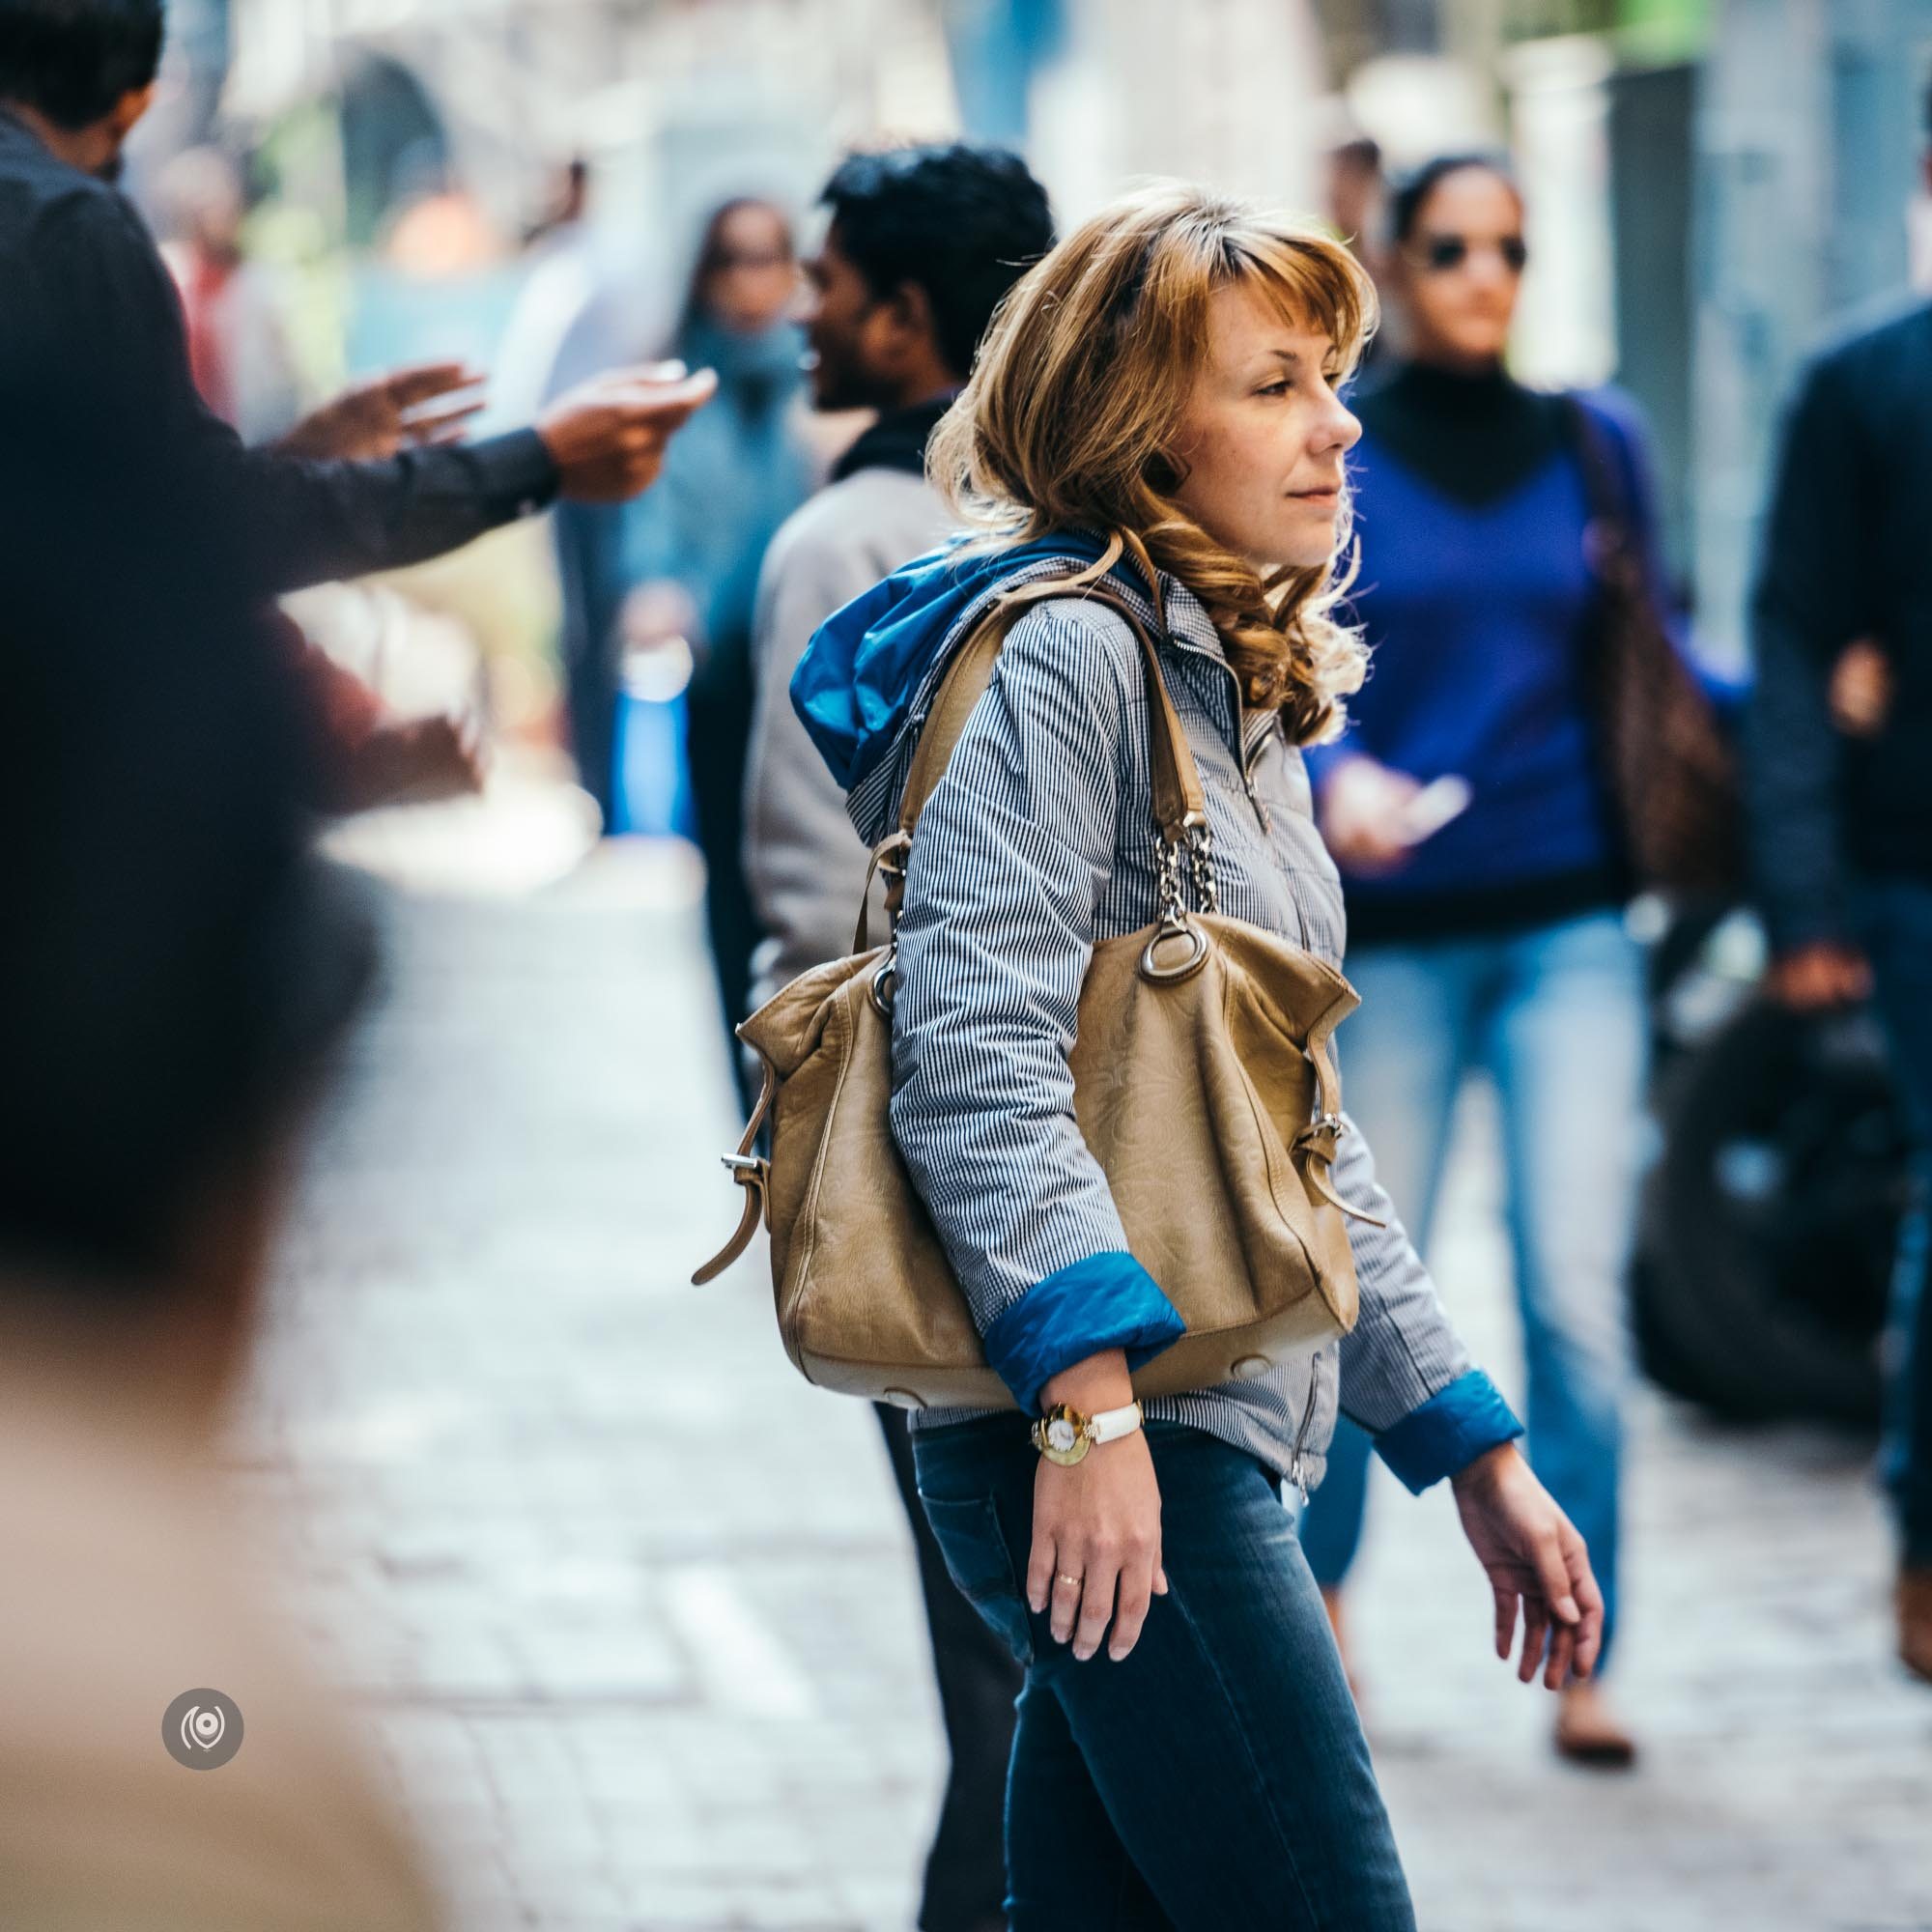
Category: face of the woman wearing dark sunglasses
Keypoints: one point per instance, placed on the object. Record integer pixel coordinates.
(1462, 270)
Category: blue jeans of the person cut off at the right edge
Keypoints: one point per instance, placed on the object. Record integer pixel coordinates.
(1896, 919)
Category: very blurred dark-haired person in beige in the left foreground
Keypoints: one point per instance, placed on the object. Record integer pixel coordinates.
(175, 973)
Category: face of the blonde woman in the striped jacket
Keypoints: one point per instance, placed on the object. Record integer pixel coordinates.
(1264, 438)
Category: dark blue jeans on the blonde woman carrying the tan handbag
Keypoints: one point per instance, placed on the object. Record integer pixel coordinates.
(1218, 1776)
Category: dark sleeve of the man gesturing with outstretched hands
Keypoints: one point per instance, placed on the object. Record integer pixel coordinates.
(119, 318)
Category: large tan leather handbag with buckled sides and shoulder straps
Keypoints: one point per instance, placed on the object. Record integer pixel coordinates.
(1203, 1085)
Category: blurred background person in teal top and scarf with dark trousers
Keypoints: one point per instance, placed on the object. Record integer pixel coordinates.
(693, 552)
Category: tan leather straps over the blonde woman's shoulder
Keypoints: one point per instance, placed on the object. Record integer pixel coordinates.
(1179, 803)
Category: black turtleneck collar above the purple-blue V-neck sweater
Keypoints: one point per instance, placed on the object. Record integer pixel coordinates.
(1473, 438)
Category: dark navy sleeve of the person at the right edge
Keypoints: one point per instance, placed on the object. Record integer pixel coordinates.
(1809, 602)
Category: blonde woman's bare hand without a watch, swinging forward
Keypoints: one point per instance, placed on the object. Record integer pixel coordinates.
(1537, 1562)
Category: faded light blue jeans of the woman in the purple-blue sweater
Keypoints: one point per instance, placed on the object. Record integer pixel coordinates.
(1556, 1019)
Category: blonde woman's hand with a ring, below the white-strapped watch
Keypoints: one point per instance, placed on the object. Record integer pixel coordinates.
(1096, 1554)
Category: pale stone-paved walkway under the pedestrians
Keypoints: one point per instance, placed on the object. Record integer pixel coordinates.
(629, 1610)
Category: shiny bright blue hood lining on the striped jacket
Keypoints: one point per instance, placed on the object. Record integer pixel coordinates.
(867, 666)
